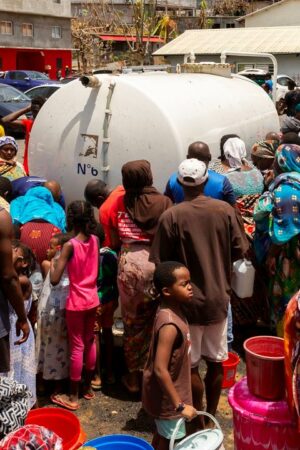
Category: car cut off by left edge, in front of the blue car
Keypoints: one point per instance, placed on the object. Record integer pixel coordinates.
(11, 100)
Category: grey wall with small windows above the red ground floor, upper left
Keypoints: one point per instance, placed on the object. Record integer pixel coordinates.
(42, 31)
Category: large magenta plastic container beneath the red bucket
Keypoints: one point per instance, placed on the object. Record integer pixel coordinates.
(260, 424)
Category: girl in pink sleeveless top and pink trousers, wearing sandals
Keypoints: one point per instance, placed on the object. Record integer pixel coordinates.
(80, 255)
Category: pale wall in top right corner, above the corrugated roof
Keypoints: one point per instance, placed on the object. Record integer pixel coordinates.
(287, 13)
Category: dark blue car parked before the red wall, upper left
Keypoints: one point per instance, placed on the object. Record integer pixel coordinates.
(24, 79)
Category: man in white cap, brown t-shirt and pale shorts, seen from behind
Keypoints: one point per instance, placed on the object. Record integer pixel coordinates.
(202, 233)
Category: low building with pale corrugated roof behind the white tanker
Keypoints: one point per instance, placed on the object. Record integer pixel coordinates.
(207, 45)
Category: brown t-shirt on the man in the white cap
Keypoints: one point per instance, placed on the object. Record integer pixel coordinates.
(204, 235)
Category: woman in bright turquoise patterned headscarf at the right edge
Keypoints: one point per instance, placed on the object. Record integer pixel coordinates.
(276, 240)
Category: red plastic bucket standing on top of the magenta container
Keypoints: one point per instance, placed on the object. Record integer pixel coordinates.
(265, 367)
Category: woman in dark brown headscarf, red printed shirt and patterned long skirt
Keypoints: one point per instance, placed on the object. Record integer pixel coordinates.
(135, 218)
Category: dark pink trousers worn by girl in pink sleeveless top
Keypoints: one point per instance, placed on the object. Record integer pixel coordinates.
(82, 344)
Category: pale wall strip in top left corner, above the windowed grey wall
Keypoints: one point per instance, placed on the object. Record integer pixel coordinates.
(45, 7)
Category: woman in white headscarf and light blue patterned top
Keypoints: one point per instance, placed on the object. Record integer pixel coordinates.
(246, 180)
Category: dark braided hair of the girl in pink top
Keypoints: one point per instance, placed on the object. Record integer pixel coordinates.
(80, 214)
